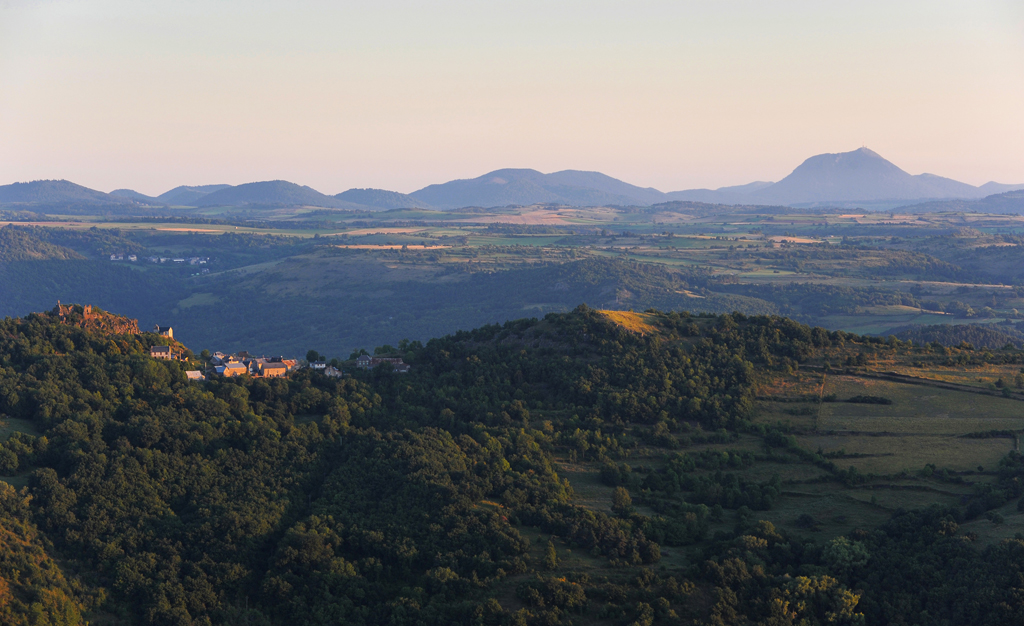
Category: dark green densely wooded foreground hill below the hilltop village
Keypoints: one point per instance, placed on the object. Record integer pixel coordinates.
(441, 496)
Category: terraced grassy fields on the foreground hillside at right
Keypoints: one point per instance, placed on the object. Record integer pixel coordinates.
(923, 426)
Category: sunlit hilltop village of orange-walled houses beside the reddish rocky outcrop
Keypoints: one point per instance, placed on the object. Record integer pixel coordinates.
(244, 364)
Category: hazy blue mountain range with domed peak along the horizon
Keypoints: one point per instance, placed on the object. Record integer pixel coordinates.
(861, 178)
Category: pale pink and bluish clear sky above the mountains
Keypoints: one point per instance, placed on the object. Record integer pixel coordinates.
(400, 95)
